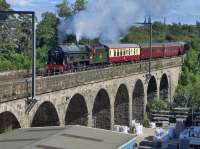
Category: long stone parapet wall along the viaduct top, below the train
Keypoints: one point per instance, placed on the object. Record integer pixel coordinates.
(22, 89)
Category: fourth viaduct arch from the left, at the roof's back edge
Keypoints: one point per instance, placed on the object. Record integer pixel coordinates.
(101, 112)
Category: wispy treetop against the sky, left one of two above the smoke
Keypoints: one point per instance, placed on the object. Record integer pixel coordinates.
(64, 9)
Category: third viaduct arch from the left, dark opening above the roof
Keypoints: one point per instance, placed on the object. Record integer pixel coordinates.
(77, 111)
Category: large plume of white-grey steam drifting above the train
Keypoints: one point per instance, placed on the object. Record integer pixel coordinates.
(108, 20)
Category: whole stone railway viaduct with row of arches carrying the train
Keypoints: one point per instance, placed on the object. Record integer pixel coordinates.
(97, 98)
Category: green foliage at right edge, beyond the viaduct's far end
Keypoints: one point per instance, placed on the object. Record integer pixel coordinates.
(188, 91)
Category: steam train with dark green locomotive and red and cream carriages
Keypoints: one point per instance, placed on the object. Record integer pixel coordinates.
(75, 56)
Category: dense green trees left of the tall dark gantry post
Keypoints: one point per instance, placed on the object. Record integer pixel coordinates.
(15, 39)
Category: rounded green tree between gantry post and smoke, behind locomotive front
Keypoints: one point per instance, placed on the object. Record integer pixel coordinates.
(47, 30)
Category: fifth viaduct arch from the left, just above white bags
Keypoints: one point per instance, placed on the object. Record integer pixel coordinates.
(121, 106)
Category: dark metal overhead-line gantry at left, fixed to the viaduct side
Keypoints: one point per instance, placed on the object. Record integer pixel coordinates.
(30, 101)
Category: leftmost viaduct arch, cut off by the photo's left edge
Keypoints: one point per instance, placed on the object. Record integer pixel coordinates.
(8, 122)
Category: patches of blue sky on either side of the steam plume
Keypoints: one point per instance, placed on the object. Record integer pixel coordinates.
(185, 11)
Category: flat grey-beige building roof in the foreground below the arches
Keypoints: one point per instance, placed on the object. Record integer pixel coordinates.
(69, 137)
